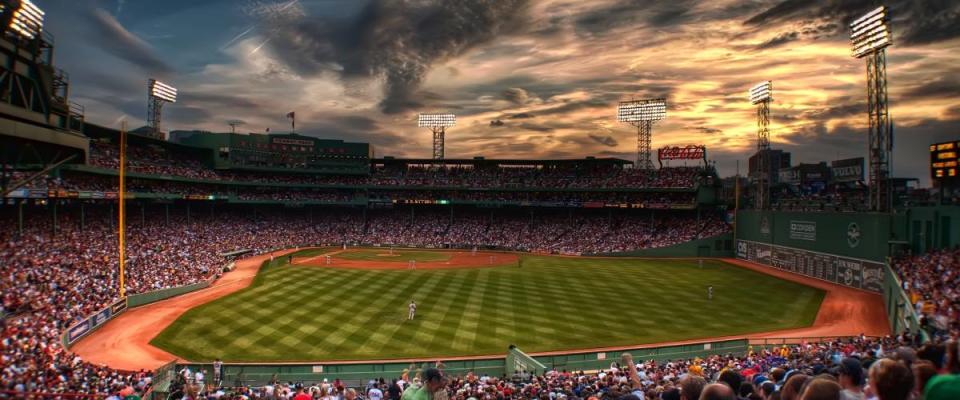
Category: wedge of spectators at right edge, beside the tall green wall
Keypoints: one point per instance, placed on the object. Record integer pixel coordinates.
(932, 281)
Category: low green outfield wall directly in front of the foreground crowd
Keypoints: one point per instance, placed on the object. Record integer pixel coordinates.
(359, 373)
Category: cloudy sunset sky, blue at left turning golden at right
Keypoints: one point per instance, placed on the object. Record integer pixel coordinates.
(527, 79)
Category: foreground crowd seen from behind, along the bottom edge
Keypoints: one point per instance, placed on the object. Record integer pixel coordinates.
(890, 368)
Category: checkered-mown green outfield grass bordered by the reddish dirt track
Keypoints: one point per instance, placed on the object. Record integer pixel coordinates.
(551, 303)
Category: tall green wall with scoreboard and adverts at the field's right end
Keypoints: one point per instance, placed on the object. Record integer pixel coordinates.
(850, 249)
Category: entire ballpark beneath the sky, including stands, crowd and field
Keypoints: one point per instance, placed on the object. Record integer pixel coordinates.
(285, 255)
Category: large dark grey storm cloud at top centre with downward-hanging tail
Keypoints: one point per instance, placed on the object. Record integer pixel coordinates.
(397, 41)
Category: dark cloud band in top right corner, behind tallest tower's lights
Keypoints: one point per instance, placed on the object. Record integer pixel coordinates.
(914, 22)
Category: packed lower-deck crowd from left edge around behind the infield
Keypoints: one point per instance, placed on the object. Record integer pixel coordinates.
(62, 268)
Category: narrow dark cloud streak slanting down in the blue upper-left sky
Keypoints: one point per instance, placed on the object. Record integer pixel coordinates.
(116, 40)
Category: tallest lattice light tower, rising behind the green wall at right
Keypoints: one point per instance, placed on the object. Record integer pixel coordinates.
(870, 36)
